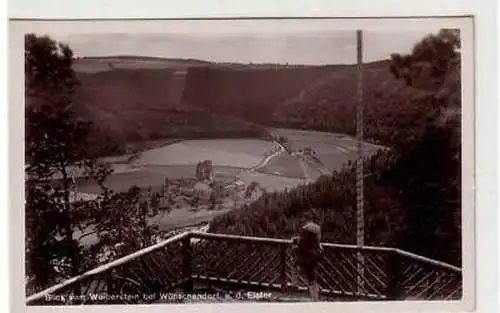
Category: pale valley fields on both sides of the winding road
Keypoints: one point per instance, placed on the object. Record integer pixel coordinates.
(232, 158)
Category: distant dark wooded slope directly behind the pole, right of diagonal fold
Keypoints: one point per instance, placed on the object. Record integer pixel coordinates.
(330, 104)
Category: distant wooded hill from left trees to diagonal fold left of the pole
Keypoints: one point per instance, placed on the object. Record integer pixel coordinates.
(129, 99)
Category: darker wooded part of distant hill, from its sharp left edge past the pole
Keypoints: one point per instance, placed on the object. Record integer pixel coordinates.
(317, 98)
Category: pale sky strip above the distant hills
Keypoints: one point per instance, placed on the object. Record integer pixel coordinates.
(243, 45)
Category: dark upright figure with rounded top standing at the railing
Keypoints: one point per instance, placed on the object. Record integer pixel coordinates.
(307, 253)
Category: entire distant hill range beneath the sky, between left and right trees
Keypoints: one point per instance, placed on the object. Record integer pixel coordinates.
(134, 98)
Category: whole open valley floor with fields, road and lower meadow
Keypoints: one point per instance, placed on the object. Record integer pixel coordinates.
(247, 160)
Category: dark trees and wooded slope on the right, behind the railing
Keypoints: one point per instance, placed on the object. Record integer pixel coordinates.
(412, 192)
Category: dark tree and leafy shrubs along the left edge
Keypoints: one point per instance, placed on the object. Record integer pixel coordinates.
(60, 145)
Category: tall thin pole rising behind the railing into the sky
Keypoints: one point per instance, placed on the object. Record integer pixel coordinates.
(360, 218)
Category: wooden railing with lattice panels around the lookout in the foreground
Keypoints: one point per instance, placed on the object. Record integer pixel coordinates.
(182, 262)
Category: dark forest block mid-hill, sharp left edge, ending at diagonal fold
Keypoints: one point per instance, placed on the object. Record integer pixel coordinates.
(248, 92)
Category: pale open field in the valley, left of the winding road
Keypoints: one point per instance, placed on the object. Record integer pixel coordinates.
(178, 160)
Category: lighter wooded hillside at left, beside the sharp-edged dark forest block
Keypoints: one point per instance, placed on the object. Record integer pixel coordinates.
(133, 105)
